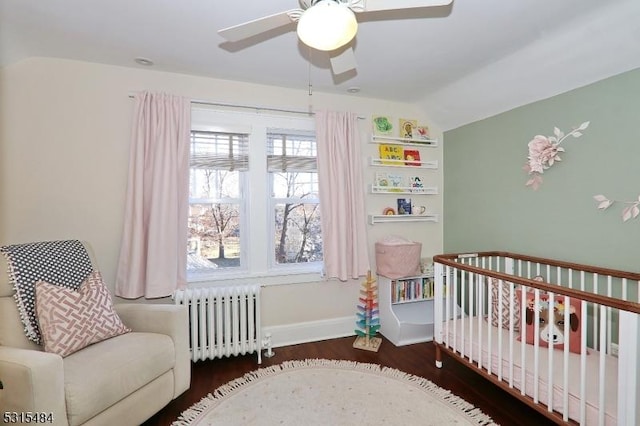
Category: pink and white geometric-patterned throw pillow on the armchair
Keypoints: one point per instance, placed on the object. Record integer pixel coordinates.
(71, 320)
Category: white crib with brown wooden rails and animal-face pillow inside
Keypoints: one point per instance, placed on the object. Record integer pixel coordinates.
(588, 378)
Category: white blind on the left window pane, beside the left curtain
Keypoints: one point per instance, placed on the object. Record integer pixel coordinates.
(219, 150)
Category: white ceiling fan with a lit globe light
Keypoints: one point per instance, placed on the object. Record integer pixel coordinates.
(326, 25)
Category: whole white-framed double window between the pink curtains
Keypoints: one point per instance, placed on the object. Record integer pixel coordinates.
(253, 206)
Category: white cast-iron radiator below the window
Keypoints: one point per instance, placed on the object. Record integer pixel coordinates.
(223, 321)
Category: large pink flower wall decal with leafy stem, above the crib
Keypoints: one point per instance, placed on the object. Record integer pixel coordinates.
(545, 151)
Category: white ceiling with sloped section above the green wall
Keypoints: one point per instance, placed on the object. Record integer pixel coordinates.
(461, 63)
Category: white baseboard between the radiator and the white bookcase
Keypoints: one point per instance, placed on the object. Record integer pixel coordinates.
(312, 331)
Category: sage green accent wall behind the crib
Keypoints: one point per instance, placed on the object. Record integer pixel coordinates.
(488, 207)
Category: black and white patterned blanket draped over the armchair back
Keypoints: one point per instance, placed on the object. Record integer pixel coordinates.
(64, 263)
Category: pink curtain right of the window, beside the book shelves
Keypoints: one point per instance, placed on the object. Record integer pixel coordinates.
(343, 216)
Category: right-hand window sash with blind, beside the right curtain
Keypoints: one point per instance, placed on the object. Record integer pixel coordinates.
(294, 196)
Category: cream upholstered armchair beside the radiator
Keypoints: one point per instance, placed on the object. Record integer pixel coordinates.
(123, 380)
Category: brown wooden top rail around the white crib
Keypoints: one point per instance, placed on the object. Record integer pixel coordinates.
(452, 260)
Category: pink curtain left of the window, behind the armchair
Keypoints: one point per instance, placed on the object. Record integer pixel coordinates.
(153, 253)
